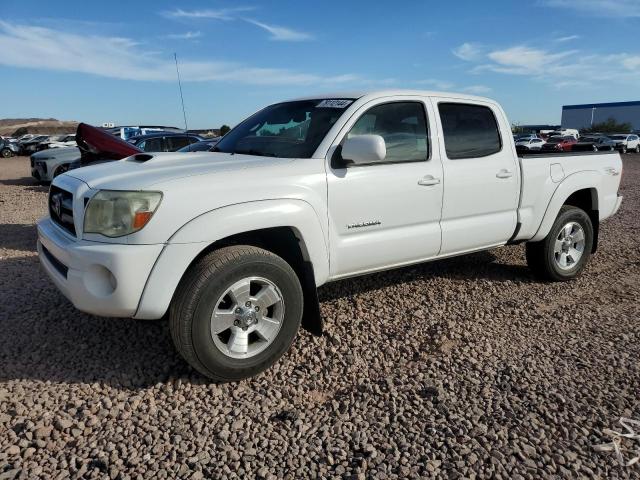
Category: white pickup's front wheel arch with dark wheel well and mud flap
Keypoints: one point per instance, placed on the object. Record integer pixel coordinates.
(289, 228)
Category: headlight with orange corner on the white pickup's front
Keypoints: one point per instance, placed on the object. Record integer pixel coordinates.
(116, 213)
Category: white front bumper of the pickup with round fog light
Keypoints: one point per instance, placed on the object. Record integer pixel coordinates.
(103, 279)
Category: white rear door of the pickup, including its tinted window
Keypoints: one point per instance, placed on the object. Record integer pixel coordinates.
(482, 185)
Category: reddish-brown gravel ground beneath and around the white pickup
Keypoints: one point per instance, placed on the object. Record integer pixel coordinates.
(462, 368)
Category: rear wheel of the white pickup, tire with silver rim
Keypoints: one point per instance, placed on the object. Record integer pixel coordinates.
(543, 257)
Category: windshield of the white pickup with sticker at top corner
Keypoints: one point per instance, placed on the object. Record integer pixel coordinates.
(288, 130)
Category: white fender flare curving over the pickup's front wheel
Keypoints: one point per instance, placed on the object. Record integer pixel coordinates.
(197, 234)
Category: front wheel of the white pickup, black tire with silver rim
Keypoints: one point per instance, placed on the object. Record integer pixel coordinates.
(199, 295)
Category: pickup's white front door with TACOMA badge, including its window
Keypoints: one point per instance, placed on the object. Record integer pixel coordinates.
(388, 213)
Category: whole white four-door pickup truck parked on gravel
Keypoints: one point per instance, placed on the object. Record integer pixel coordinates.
(231, 245)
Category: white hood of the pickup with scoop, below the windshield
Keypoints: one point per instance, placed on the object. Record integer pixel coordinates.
(145, 170)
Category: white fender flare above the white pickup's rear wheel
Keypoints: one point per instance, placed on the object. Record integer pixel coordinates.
(585, 180)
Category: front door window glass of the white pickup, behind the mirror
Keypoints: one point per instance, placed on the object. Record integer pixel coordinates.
(403, 126)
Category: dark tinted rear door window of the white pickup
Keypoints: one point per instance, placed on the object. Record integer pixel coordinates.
(470, 131)
